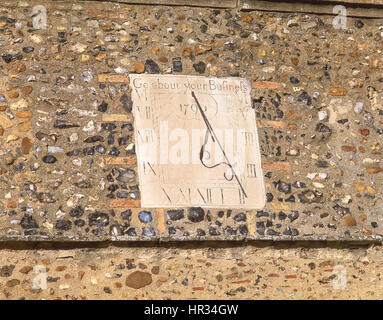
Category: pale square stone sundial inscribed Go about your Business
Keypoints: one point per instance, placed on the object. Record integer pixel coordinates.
(197, 142)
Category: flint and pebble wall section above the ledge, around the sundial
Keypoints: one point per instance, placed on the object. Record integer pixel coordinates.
(67, 122)
